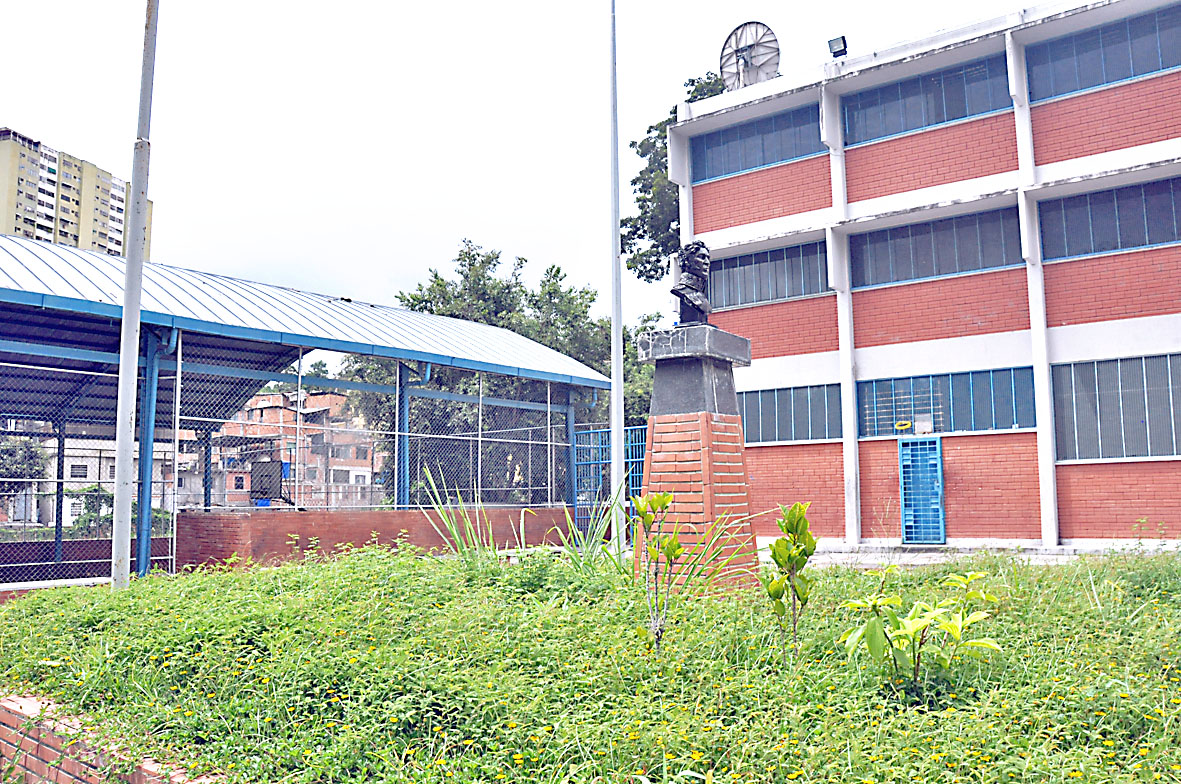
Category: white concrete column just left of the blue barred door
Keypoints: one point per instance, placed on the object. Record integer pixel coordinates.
(838, 247)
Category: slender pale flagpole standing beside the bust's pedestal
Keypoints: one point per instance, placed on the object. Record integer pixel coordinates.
(617, 311)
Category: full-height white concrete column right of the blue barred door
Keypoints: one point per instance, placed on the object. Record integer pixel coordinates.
(1032, 251)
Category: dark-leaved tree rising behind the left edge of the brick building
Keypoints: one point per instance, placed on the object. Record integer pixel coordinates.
(651, 238)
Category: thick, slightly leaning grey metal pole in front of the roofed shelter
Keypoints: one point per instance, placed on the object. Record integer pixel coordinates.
(129, 337)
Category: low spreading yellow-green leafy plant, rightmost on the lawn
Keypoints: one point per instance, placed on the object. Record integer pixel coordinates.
(938, 629)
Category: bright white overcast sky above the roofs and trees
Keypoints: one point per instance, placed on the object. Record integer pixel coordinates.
(349, 147)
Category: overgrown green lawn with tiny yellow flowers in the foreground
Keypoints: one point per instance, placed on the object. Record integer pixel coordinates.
(386, 667)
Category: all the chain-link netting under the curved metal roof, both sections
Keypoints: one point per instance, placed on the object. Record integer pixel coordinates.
(388, 436)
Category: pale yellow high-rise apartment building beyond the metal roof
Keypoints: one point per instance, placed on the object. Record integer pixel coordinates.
(58, 198)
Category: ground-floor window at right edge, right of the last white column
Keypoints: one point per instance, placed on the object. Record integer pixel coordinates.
(1118, 408)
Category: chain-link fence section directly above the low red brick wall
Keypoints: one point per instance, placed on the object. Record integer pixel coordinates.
(316, 443)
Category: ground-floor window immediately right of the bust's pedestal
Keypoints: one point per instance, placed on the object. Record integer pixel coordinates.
(795, 414)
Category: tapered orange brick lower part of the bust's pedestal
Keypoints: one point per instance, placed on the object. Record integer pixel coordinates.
(699, 458)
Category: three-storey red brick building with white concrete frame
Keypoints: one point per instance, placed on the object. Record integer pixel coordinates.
(960, 266)
